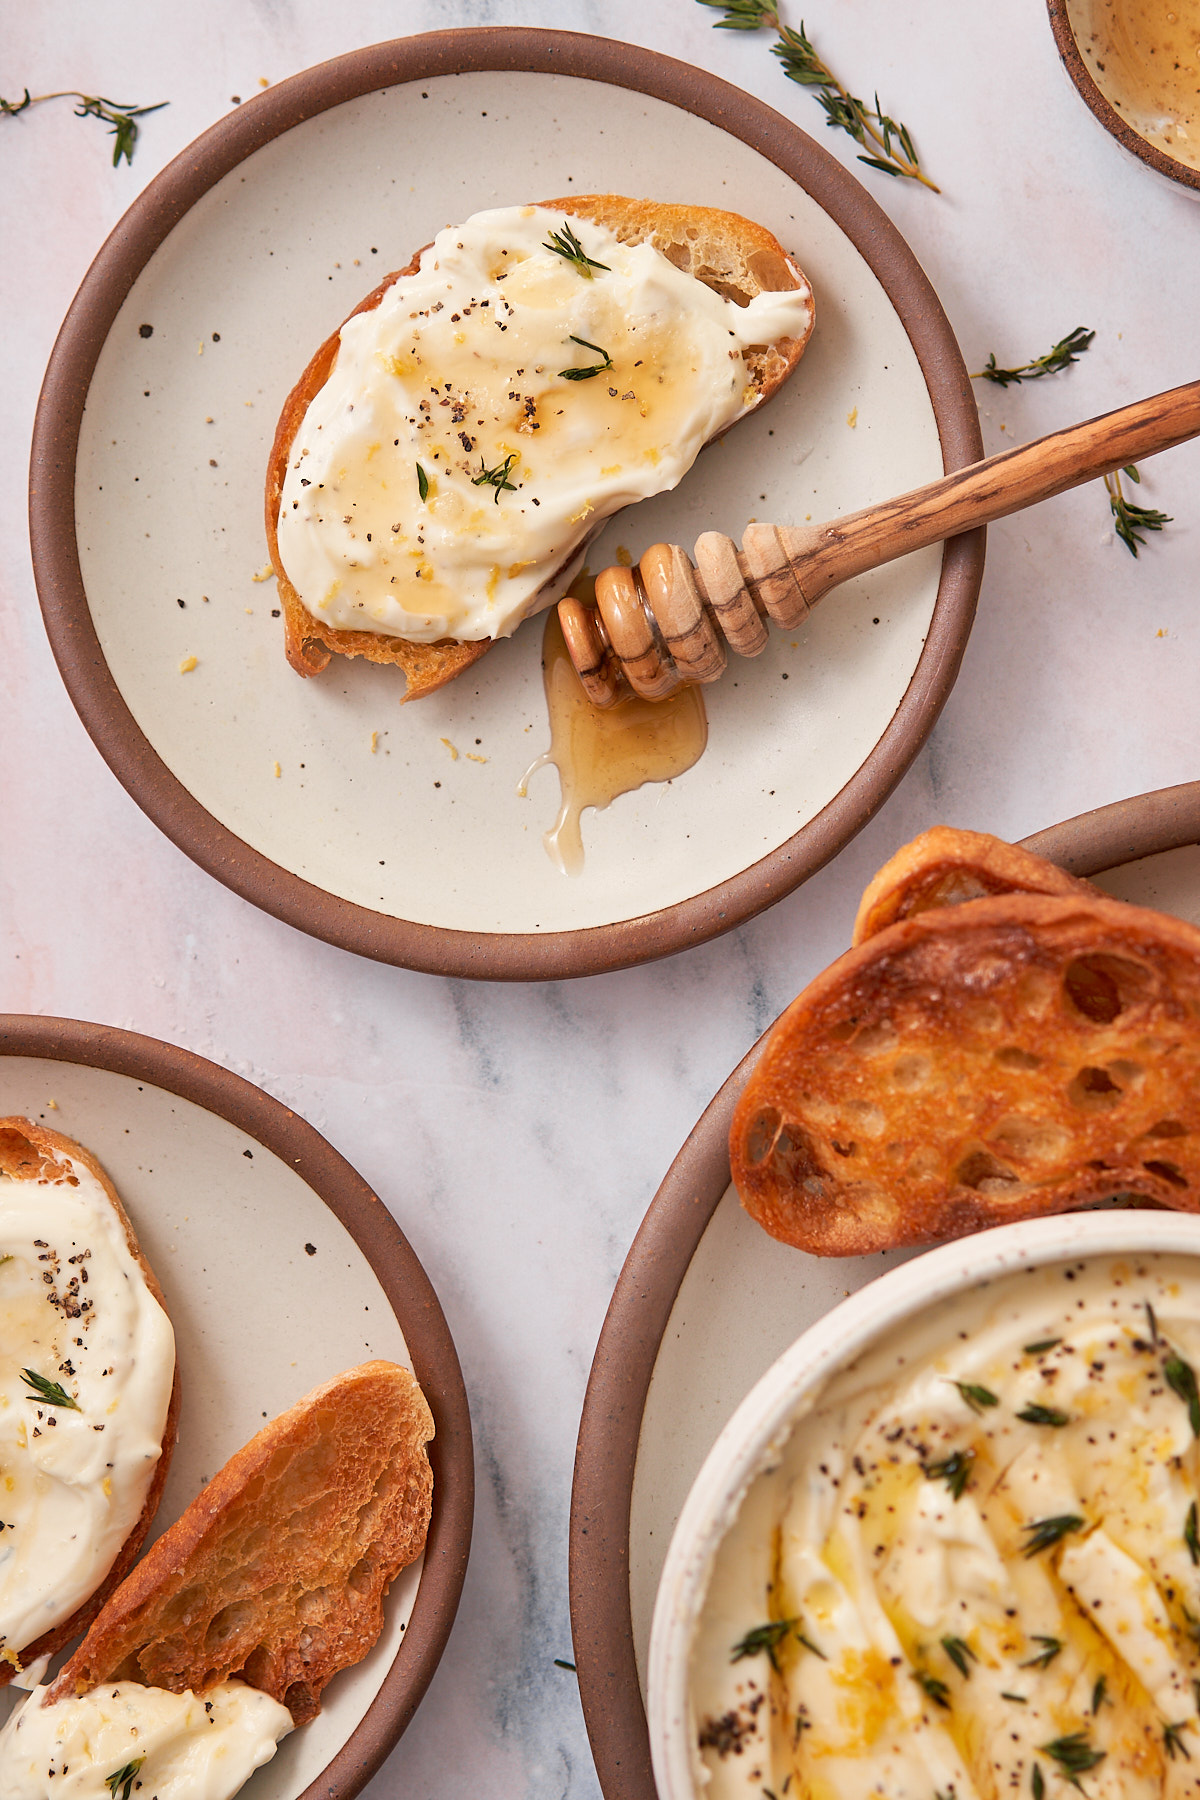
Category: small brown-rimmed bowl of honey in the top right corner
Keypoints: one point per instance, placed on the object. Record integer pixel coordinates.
(1138, 67)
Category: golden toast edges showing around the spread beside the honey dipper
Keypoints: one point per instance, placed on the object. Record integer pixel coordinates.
(731, 255)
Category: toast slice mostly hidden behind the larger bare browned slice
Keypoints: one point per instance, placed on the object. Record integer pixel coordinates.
(945, 867)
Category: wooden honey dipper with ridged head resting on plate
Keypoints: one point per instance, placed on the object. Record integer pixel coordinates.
(667, 622)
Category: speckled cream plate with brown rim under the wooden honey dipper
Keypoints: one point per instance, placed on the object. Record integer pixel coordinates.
(402, 832)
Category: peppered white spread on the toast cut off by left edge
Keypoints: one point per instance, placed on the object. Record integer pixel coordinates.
(87, 1362)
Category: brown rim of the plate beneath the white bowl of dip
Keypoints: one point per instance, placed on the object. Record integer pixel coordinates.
(641, 1308)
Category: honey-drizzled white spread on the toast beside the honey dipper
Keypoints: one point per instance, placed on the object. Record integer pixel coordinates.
(494, 408)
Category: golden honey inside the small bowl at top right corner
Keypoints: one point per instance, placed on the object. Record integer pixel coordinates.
(1145, 58)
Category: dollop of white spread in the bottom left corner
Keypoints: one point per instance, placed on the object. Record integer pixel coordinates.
(125, 1741)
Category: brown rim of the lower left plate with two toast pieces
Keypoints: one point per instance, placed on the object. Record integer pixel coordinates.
(415, 1304)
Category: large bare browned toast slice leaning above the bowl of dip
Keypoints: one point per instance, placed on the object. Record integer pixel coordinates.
(974, 1065)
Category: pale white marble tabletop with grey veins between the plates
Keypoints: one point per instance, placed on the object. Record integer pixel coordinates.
(521, 1131)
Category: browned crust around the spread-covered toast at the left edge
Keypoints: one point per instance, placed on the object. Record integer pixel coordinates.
(33, 1153)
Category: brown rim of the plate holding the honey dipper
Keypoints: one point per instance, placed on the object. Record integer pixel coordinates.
(434, 949)
